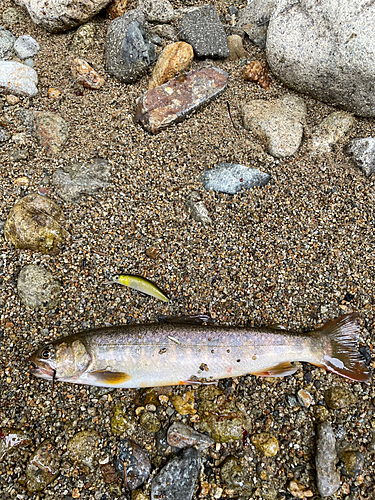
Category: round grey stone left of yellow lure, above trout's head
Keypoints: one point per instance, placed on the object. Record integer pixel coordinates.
(37, 288)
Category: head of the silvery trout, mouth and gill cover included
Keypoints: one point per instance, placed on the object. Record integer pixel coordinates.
(65, 359)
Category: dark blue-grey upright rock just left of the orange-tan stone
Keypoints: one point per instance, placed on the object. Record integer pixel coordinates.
(128, 51)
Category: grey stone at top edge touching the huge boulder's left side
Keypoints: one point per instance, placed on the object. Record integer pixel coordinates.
(254, 19)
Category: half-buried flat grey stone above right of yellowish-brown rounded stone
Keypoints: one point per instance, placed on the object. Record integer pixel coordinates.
(74, 181)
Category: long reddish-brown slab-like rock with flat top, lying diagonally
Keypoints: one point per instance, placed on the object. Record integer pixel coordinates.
(175, 100)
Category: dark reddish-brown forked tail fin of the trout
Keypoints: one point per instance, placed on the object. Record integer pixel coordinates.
(341, 356)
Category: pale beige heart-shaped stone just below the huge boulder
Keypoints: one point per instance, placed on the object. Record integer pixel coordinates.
(279, 123)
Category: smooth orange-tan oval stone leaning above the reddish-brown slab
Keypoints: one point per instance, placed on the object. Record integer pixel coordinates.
(176, 57)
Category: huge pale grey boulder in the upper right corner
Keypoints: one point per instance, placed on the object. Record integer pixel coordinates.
(326, 49)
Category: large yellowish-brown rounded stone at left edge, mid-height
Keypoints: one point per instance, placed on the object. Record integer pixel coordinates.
(36, 223)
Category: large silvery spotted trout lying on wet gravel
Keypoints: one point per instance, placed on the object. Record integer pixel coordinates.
(167, 354)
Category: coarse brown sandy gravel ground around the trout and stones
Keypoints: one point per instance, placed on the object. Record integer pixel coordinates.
(286, 253)
